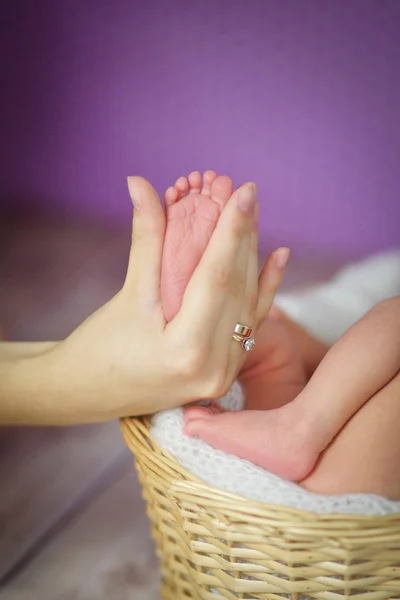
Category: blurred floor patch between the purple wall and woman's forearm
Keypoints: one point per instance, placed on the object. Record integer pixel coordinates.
(52, 276)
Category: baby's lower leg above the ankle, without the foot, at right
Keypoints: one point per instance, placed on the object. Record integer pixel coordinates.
(360, 364)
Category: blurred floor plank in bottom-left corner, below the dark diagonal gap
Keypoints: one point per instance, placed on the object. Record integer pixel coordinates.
(105, 553)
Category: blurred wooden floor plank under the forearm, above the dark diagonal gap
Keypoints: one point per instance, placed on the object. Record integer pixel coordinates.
(43, 473)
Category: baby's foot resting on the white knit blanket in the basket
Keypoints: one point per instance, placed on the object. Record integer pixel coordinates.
(274, 439)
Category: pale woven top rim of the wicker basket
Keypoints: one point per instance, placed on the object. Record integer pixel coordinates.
(191, 482)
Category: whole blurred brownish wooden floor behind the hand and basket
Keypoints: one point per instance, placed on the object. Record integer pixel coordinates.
(72, 522)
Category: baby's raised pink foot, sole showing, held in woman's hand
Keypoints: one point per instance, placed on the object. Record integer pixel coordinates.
(193, 208)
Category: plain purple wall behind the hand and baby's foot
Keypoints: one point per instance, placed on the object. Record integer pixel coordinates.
(302, 97)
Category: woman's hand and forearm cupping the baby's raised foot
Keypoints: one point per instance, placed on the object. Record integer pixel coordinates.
(125, 359)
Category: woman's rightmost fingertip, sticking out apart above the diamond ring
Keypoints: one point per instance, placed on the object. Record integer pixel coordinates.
(269, 282)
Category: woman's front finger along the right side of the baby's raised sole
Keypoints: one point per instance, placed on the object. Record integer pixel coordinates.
(216, 279)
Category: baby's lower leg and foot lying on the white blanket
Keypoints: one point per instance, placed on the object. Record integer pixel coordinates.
(288, 441)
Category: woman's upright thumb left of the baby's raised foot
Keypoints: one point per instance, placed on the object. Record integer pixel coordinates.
(148, 230)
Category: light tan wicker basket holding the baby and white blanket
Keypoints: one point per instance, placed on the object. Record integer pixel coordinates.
(215, 545)
